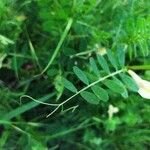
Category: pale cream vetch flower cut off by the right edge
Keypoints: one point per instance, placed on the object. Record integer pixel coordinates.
(144, 86)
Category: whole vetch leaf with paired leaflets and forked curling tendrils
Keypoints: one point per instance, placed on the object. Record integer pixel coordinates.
(110, 72)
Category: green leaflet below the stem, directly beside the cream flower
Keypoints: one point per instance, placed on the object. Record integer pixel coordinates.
(129, 82)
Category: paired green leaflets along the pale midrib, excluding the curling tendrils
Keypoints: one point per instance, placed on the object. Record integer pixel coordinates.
(114, 84)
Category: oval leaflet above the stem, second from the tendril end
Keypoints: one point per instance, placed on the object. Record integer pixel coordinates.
(81, 75)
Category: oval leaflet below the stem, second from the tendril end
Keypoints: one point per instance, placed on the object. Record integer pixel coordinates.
(100, 93)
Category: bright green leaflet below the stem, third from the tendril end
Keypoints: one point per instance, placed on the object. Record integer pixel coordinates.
(114, 86)
